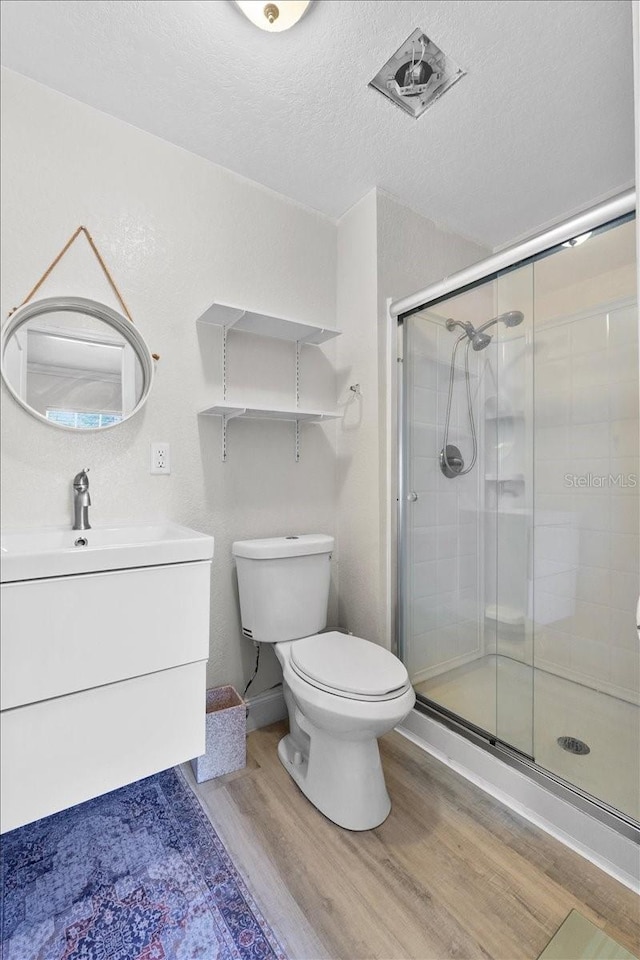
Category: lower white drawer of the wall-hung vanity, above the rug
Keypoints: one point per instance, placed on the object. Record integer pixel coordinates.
(64, 751)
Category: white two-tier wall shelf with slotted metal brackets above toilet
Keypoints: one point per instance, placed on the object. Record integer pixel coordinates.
(228, 317)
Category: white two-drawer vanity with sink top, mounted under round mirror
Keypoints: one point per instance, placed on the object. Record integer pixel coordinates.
(103, 671)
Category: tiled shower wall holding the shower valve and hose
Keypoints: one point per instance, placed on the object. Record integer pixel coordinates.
(444, 521)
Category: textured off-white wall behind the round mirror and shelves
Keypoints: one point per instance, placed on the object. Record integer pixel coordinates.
(177, 233)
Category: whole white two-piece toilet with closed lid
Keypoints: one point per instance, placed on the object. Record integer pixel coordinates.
(341, 692)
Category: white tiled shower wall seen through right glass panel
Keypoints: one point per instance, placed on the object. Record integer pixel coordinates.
(586, 507)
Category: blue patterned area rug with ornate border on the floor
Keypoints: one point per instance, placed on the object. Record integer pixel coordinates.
(137, 874)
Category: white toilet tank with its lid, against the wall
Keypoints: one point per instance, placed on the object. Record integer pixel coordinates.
(284, 586)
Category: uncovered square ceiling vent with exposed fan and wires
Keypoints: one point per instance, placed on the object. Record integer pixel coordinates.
(417, 74)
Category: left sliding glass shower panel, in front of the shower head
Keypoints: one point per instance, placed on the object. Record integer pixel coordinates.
(465, 640)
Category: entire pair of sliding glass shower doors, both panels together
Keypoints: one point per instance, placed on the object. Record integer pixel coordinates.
(520, 545)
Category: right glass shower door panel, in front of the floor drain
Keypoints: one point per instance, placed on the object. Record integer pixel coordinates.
(587, 548)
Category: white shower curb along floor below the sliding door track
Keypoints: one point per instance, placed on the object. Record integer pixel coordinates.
(617, 855)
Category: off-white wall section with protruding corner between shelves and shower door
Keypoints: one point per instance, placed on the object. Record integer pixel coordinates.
(385, 250)
